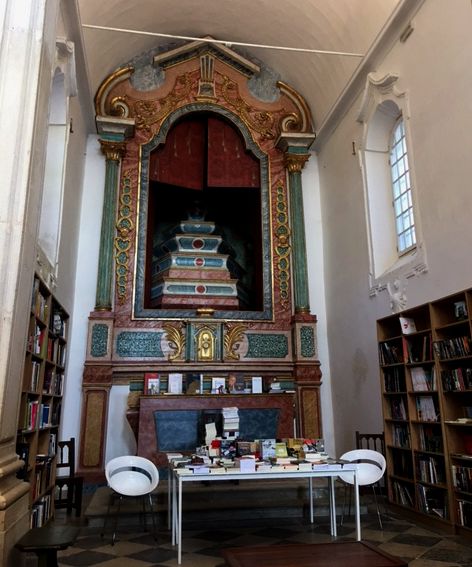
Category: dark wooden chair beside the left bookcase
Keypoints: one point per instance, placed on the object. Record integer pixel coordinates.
(69, 486)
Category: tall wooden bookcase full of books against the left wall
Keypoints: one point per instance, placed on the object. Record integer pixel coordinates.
(41, 399)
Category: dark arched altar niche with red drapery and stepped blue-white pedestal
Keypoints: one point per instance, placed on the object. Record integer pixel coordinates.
(203, 158)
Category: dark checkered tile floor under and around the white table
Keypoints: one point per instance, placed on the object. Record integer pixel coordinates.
(202, 543)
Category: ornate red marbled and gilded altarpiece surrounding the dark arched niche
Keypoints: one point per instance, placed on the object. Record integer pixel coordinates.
(136, 108)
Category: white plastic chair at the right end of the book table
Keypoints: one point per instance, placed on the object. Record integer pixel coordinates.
(370, 469)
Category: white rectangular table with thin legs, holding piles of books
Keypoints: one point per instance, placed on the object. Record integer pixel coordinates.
(179, 476)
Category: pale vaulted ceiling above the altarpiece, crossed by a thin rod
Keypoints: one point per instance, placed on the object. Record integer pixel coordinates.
(330, 25)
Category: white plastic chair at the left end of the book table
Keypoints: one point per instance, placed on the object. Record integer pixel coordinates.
(131, 476)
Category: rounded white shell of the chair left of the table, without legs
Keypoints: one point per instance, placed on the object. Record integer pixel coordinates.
(132, 476)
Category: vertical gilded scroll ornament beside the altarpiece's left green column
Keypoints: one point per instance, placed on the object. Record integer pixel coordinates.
(124, 227)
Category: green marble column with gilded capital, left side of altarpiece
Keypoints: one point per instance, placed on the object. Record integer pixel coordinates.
(113, 152)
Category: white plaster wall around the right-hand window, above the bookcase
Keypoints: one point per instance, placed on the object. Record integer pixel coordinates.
(434, 69)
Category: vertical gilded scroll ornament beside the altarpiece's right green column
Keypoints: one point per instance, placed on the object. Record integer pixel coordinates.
(282, 246)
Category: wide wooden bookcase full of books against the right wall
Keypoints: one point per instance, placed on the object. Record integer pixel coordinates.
(425, 358)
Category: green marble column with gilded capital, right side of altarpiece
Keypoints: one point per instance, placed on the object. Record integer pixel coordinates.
(294, 163)
